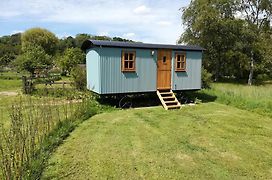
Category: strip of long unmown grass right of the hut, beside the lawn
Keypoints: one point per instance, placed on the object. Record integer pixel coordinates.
(254, 98)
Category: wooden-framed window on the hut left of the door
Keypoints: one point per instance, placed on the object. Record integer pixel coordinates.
(128, 61)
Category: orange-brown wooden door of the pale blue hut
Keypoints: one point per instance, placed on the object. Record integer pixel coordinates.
(164, 69)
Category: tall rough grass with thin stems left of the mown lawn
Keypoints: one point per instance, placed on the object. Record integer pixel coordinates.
(28, 137)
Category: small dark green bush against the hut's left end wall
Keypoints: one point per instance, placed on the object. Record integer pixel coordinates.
(79, 78)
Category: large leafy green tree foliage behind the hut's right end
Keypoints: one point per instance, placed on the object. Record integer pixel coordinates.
(231, 43)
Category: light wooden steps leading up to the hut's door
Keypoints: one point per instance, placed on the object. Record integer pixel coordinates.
(168, 99)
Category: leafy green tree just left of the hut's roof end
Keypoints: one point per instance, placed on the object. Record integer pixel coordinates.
(70, 58)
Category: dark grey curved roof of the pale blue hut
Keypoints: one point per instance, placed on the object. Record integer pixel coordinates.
(97, 43)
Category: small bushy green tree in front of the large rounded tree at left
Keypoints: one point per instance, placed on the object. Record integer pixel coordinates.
(34, 57)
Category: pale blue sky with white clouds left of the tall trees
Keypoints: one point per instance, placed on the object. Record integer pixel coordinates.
(153, 21)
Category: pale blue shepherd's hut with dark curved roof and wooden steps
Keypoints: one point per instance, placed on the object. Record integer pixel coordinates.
(128, 67)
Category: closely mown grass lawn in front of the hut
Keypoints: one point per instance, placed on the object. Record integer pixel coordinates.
(207, 141)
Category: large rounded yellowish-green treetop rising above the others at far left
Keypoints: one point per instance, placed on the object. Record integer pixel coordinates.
(39, 37)
